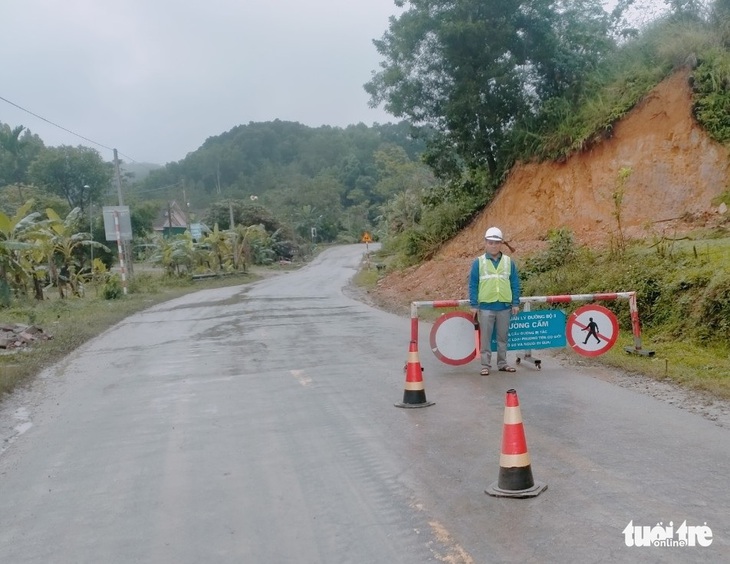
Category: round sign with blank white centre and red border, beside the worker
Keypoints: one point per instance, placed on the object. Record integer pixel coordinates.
(452, 338)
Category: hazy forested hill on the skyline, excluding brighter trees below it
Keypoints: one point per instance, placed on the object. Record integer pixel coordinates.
(260, 158)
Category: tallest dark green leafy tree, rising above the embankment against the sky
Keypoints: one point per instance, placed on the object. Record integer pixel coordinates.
(471, 69)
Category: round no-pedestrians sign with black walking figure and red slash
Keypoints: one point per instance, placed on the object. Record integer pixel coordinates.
(592, 330)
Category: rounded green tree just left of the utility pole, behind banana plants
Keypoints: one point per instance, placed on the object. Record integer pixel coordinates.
(77, 174)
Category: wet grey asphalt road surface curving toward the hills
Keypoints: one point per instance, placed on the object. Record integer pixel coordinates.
(256, 424)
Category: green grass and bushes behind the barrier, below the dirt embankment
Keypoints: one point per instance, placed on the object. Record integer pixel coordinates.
(683, 293)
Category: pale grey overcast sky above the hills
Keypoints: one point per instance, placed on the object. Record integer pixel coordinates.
(155, 78)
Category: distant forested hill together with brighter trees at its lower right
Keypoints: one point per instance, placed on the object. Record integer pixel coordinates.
(334, 179)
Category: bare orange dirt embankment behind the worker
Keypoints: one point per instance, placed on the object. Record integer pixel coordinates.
(672, 172)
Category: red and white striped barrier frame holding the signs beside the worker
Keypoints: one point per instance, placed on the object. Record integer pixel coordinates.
(630, 296)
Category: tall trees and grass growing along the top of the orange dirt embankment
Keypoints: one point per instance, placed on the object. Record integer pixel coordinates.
(598, 69)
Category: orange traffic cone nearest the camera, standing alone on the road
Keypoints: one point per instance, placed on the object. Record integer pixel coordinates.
(515, 471)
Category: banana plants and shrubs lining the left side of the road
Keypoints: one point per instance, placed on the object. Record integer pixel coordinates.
(41, 254)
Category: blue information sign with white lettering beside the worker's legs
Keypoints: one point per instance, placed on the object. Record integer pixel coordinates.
(535, 330)
